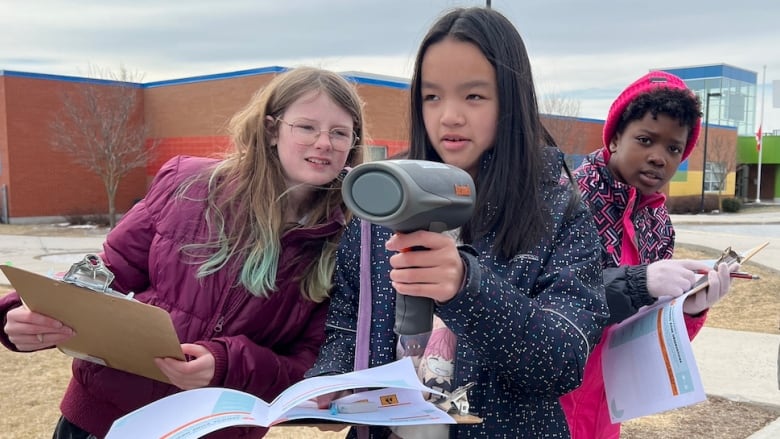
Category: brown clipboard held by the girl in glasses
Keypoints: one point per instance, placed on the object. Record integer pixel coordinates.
(111, 329)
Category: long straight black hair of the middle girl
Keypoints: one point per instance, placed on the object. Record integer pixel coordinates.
(509, 180)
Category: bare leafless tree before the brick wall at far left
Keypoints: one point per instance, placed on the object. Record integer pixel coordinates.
(101, 128)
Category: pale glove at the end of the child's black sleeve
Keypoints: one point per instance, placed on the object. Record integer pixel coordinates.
(672, 277)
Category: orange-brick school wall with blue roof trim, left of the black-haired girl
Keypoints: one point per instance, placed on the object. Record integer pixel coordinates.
(183, 116)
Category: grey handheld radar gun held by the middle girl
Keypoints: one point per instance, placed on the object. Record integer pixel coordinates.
(406, 196)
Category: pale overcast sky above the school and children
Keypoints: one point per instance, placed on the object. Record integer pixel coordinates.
(585, 50)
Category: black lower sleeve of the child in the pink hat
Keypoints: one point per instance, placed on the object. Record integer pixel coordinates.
(626, 289)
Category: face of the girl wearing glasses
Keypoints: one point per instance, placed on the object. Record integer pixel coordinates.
(306, 161)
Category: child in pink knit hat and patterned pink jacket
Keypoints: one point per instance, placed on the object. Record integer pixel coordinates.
(651, 128)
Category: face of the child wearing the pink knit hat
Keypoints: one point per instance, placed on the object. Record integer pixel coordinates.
(647, 153)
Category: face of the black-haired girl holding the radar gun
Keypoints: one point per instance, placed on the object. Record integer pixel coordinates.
(459, 102)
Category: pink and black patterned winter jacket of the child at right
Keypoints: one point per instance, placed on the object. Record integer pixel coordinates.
(634, 230)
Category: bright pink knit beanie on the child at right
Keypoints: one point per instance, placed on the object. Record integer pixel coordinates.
(640, 86)
